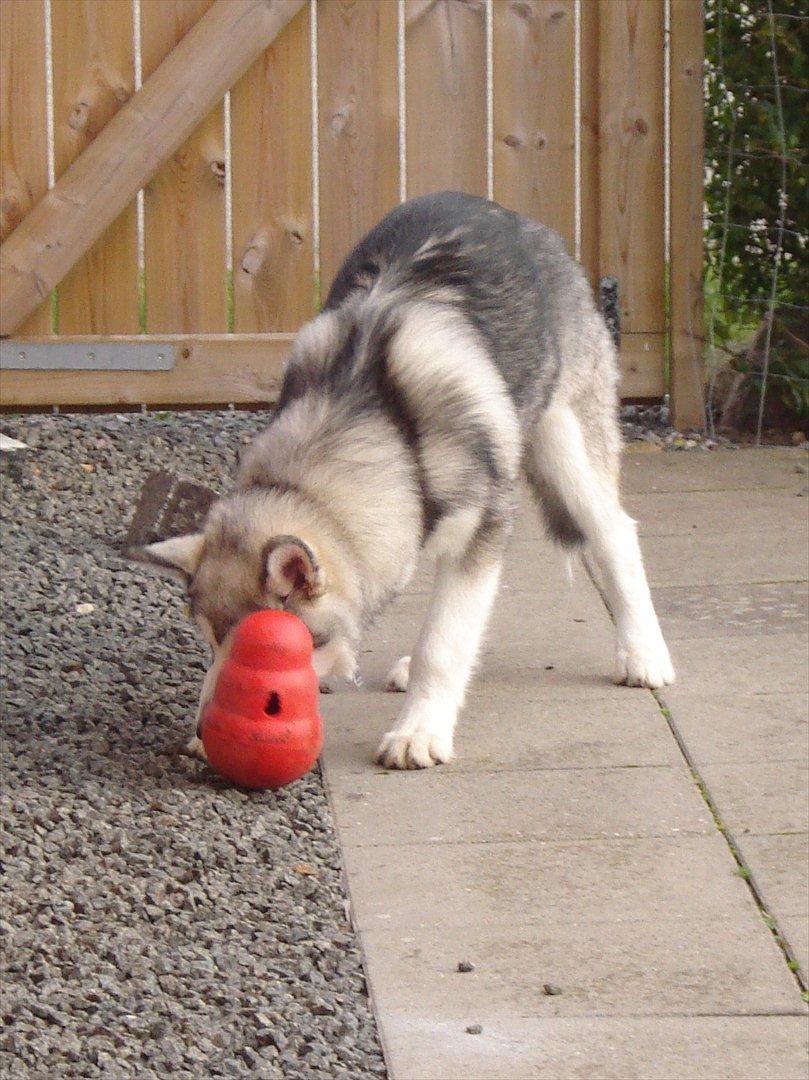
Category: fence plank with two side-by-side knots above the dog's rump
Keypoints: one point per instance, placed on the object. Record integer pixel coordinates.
(534, 111)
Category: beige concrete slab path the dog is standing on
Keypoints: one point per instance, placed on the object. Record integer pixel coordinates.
(640, 856)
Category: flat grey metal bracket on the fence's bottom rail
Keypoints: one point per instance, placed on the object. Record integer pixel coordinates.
(87, 356)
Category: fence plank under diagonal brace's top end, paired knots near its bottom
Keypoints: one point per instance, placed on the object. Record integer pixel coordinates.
(274, 288)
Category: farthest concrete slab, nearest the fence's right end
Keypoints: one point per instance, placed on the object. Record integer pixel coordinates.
(716, 471)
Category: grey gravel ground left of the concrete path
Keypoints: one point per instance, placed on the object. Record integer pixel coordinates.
(156, 922)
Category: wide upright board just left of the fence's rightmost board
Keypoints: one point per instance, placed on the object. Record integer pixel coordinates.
(631, 160)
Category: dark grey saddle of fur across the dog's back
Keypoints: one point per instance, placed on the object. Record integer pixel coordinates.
(510, 277)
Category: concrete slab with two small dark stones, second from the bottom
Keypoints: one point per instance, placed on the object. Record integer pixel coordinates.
(641, 968)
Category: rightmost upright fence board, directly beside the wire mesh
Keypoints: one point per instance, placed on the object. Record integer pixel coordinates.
(687, 371)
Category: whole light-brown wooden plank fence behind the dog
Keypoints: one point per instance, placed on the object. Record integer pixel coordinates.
(336, 111)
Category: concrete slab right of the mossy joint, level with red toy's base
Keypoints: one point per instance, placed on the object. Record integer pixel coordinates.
(762, 799)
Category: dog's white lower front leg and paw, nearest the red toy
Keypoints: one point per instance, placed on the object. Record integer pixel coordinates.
(442, 665)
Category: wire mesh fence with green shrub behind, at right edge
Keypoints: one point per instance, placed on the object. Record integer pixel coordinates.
(757, 224)
